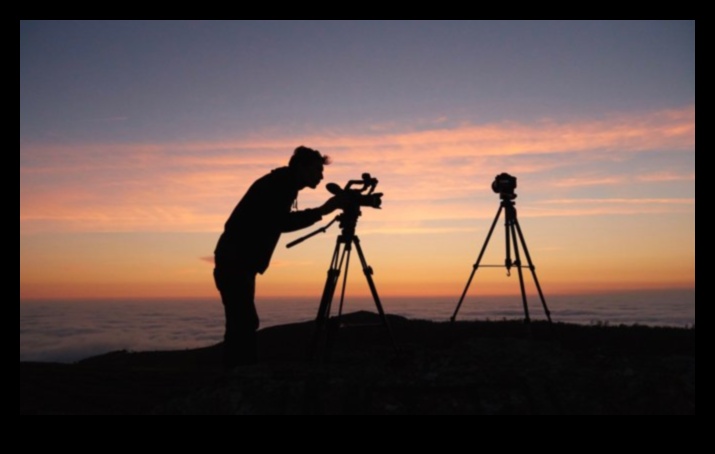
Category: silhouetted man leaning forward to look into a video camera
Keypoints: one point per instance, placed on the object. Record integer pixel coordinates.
(250, 235)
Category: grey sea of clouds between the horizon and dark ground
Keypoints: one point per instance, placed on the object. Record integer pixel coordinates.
(68, 331)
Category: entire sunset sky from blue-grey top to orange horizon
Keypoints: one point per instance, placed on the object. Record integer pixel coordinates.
(137, 139)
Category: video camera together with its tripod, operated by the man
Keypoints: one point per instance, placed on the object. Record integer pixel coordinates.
(350, 201)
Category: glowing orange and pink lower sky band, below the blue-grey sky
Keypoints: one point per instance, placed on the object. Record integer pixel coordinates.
(604, 204)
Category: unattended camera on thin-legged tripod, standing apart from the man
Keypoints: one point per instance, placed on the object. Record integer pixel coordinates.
(504, 184)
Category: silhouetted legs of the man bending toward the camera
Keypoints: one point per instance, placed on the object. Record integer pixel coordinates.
(237, 294)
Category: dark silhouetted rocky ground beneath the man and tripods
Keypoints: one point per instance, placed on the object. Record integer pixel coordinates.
(477, 367)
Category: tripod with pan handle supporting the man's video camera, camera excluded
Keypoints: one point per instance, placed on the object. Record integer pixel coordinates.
(326, 327)
